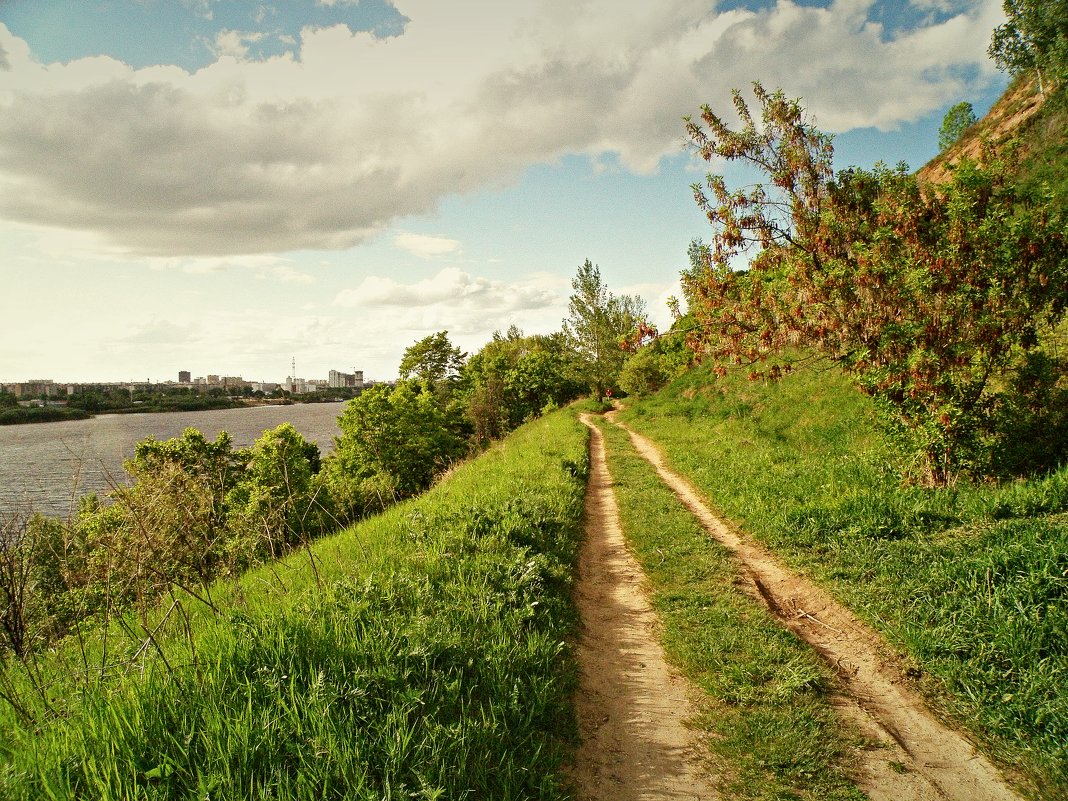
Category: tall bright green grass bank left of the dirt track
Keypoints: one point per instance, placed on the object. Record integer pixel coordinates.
(419, 655)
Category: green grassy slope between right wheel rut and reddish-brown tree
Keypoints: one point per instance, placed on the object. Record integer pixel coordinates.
(970, 584)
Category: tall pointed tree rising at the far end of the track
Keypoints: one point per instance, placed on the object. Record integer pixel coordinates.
(598, 326)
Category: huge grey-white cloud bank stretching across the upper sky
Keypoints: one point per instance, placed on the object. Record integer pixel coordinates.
(325, 150)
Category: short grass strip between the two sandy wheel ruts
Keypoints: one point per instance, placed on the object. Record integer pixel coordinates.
(769, 725)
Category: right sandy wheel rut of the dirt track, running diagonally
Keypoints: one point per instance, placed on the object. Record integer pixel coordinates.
(919, 759)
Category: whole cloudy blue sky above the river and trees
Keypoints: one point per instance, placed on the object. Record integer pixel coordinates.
(226, 186)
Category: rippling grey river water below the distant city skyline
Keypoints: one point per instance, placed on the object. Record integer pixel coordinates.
(46, 467)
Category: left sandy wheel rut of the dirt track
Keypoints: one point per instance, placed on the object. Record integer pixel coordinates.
(632, 705)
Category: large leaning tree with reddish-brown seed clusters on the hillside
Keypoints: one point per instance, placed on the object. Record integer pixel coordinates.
(921, 294)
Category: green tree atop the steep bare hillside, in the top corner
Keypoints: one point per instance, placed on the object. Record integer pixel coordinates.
(1034, 37)
